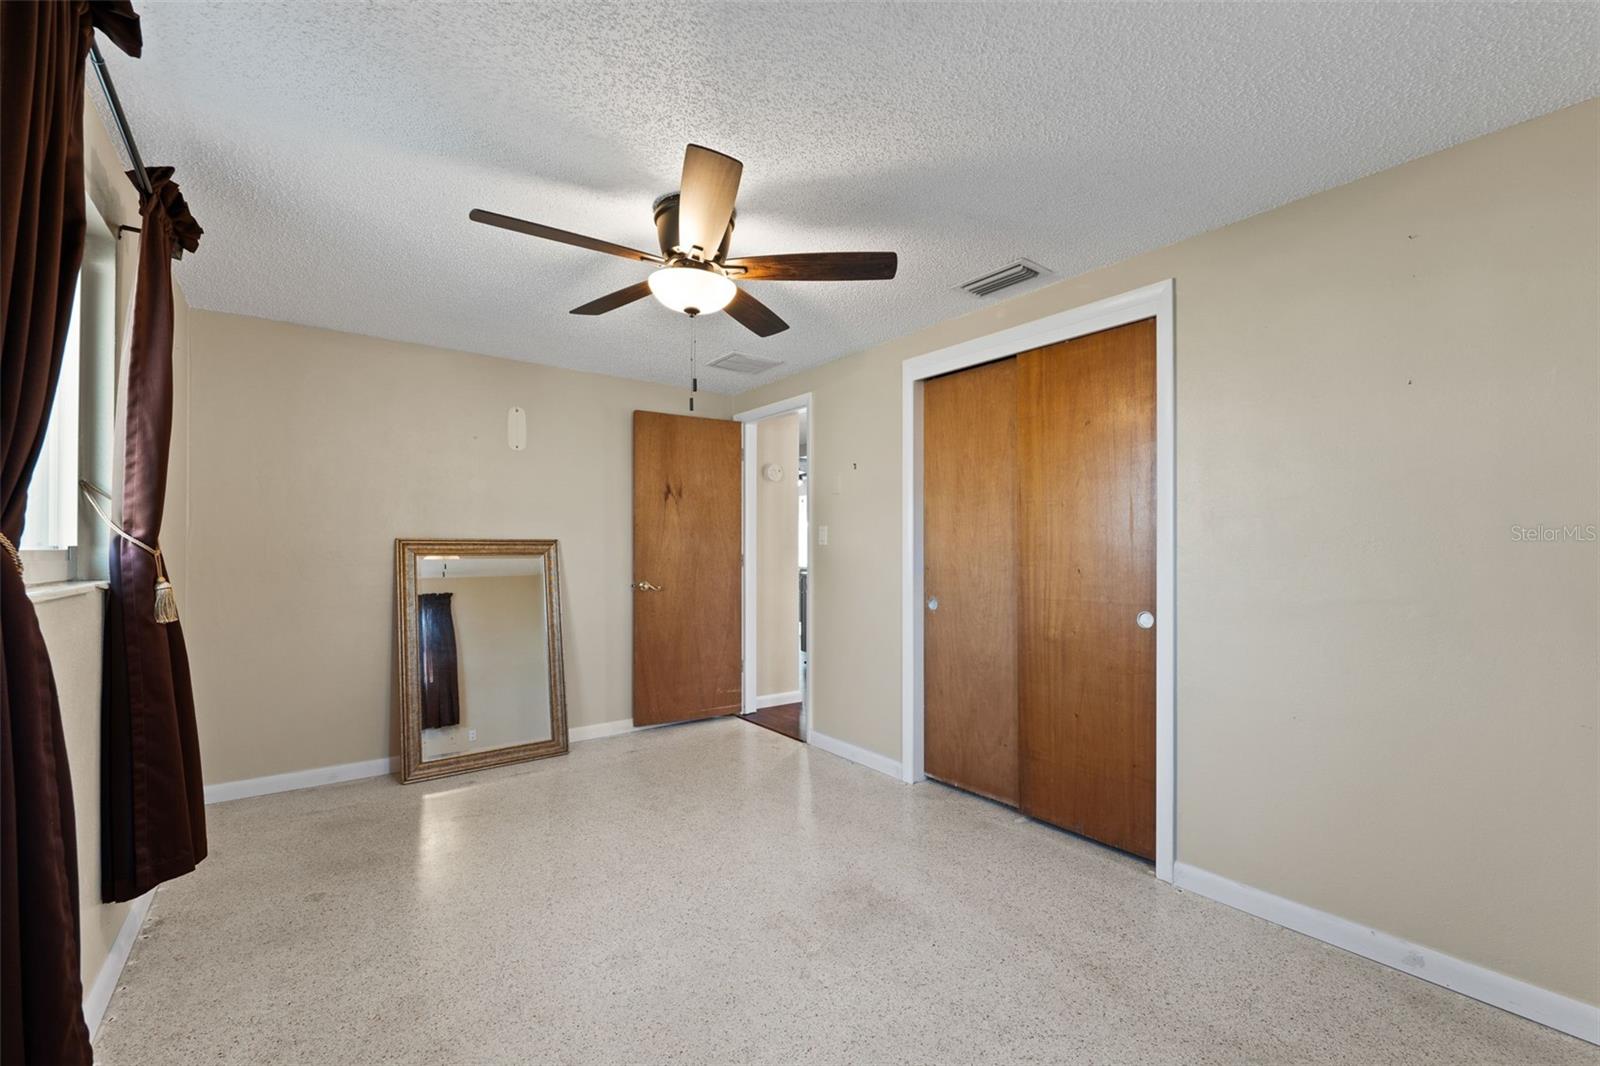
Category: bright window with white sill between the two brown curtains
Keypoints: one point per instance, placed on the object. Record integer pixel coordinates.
(58, 542)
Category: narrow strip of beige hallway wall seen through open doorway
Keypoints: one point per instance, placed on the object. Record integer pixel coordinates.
(778, 558)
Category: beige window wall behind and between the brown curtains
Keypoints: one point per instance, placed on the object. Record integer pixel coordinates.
(74, 627)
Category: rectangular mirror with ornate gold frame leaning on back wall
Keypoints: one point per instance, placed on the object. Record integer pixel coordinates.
(479, 627)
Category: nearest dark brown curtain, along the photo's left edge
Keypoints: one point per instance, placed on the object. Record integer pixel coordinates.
(42, 65)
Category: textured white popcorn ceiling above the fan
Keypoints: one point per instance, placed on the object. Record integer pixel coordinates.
(332, 151)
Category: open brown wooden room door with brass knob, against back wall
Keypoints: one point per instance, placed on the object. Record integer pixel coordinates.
(686, 569)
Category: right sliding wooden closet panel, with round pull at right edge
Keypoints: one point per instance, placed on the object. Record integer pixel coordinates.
(1087, 571)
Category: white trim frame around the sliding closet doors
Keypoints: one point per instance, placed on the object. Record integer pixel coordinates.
(1153, 302)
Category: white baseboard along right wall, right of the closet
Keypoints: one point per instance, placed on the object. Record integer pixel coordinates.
(1490, 987)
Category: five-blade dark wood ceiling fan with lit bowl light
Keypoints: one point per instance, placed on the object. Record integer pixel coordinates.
(697, 276)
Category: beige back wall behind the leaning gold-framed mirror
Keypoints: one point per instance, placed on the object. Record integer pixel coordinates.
(311, 452)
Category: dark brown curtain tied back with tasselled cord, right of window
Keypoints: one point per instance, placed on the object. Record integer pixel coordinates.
(153, 803)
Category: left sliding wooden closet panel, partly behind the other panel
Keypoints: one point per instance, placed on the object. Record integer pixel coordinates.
(970, 580)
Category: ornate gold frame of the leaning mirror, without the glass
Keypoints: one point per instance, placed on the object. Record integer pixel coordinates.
(410, 681)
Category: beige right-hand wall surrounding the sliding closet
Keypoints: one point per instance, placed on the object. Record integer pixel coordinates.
(1386, 703)
